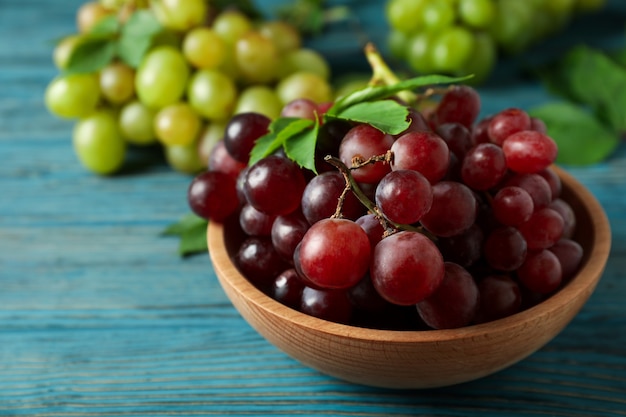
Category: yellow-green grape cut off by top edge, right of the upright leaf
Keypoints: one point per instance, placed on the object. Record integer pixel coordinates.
(179, 15)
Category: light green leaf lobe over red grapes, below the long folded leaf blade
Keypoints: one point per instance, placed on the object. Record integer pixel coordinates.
(388, 116)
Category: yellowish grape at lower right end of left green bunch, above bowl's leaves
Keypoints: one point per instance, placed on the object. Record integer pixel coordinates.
(304, 85)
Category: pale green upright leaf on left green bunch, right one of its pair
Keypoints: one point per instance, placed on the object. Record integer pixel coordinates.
(137, 37)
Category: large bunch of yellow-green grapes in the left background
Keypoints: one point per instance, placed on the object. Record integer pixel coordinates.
(204, 66)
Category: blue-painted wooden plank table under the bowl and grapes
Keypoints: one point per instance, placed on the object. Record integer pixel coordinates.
(100, 317)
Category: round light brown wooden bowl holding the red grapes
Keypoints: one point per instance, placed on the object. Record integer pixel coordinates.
(421, 359)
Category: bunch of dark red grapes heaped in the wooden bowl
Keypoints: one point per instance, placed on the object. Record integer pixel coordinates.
(453, 222)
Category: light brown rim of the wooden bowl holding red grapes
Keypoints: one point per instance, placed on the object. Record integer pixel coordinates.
(584, 281)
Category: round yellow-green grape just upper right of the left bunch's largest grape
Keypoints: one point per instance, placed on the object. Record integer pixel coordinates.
(204, 48)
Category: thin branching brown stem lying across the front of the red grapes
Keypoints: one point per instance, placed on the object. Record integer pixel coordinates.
(351, 185)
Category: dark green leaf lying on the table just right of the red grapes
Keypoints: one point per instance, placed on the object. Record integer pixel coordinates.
(581, 138)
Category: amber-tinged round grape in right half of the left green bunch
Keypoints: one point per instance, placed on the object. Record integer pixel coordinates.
(256, 58)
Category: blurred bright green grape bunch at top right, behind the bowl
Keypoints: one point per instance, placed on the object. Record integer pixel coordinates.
(465, 36)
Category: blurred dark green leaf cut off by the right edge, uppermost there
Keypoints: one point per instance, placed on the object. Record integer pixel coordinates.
(592, 78)
